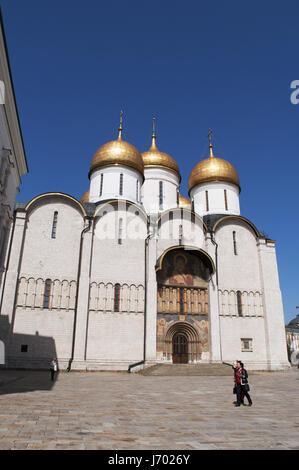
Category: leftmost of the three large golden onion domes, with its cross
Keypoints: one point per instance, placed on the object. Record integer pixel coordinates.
(117, 152)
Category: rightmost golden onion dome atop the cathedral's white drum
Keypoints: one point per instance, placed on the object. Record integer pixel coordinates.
(213, 169)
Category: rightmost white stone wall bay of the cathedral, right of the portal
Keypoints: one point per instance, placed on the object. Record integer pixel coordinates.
(247, 272)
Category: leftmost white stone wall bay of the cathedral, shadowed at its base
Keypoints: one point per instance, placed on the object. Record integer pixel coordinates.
(35, 257)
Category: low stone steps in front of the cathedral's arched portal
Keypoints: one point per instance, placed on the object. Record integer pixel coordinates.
(203, 369)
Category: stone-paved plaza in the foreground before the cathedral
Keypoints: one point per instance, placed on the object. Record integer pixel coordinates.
(120, 411)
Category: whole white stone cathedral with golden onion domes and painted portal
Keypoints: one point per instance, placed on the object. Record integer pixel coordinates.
(134, 274)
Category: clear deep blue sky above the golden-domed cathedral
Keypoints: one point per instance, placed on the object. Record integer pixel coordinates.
(194, 65)
